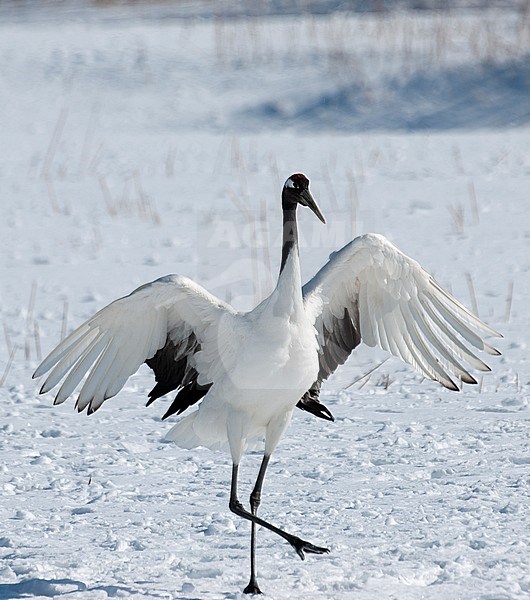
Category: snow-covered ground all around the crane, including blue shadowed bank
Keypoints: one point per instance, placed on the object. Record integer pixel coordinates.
(132, 148)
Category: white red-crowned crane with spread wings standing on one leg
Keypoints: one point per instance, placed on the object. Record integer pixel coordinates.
(250, 370)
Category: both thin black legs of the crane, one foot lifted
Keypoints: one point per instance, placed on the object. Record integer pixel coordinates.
(301, 546)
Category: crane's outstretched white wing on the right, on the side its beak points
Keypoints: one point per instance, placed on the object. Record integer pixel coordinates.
(370, 291)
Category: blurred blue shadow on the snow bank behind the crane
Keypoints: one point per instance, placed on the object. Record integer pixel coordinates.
(464, 97)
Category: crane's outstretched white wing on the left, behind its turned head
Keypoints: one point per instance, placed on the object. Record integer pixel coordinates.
(163, 323)
